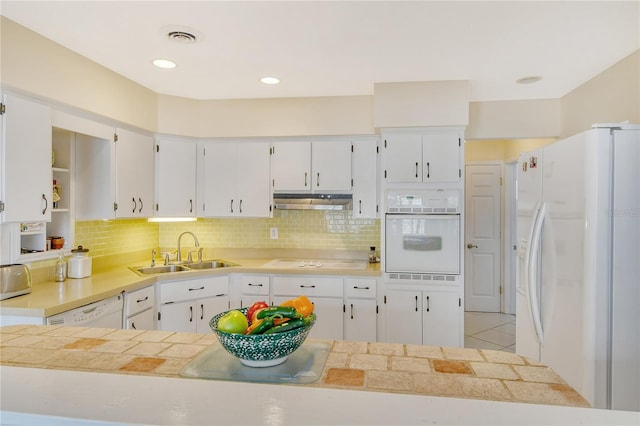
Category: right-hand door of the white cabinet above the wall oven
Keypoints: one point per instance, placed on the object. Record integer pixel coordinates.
(441, 157)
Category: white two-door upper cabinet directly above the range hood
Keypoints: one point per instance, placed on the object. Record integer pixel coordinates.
(318, 166)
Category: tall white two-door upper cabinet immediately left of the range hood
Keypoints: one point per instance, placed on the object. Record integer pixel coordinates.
(235, 179)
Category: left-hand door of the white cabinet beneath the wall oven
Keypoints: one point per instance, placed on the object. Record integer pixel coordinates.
(403, 317)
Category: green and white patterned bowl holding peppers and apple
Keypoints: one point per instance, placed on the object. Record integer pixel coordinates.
(261, 350)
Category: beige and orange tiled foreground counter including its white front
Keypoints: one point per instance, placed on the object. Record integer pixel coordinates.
(132, 376)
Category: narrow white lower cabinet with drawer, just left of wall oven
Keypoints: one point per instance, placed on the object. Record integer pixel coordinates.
(360, 310)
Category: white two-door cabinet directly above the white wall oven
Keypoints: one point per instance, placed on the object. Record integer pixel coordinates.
(433, 156)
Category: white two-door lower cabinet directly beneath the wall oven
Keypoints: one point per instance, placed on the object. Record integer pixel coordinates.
(424, 317)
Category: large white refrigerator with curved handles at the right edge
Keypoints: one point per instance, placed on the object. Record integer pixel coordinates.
(578, 271)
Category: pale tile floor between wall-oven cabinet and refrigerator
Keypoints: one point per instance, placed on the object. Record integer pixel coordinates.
(483, 330)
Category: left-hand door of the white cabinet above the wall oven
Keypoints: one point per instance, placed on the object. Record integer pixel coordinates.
(403, 157)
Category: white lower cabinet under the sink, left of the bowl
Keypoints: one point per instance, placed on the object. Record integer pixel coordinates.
(189, 305)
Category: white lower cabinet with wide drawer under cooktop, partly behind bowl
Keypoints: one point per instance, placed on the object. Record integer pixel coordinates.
(326, 293)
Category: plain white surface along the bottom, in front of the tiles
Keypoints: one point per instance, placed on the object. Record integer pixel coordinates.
(28, 393)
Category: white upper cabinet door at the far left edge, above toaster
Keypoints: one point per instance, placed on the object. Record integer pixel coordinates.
(28, 181)
